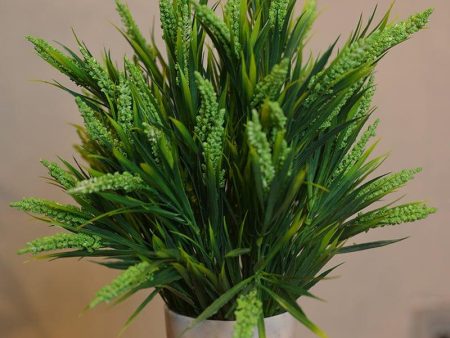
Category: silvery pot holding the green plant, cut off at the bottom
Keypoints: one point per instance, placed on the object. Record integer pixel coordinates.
(280, 326)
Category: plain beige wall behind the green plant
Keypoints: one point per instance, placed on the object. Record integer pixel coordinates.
(377, 293)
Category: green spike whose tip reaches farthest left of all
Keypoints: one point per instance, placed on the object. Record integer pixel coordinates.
(62, 213)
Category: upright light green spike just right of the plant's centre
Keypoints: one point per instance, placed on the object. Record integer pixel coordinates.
(257, 139)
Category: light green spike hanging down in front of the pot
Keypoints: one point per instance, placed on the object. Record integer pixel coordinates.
(248, 311)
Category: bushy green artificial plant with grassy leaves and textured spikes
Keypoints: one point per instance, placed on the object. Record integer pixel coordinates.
(225, 174)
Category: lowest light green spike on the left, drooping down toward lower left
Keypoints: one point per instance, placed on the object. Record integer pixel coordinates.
(131, 278)
